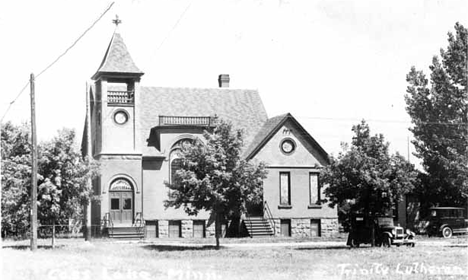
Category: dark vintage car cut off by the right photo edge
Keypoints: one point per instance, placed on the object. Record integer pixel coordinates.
(446, 221)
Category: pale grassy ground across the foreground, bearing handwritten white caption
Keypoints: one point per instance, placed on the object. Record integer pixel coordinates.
(162, 259)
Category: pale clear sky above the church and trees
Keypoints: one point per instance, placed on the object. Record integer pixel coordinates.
(328, 63)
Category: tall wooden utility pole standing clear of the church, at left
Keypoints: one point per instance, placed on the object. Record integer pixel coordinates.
(34, 168)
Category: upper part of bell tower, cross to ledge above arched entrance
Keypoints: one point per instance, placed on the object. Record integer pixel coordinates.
(117, 87)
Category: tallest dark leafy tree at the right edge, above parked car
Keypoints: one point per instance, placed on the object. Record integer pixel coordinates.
(438, 108)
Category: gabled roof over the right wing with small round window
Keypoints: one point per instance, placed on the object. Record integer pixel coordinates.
(270, 128)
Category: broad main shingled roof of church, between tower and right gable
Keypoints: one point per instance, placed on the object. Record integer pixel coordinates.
(242, 107)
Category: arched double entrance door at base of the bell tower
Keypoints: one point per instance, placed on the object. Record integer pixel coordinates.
(121, 202)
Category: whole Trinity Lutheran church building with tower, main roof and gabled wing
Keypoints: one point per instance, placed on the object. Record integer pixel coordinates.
(135, 133)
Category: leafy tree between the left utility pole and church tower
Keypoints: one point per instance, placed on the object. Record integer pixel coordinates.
(64, 188)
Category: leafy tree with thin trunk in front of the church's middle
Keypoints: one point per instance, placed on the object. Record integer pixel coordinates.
(214, 177)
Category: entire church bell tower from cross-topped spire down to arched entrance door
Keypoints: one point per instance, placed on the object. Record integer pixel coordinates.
(115, 124)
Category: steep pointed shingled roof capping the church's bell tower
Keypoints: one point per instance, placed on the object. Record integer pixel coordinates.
(117, 60)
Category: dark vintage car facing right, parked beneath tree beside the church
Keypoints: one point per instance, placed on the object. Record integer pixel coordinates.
(385, 232)
